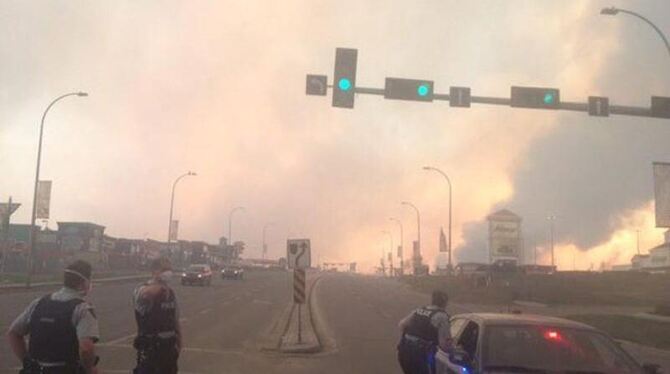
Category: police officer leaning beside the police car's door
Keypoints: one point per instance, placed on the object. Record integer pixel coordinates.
(423, 331)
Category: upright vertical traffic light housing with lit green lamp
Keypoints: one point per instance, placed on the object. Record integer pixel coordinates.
(345, 77)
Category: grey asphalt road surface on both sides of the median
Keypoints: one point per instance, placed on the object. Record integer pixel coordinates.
(225, 324)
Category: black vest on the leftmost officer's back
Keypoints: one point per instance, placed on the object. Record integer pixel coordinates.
(53, 337)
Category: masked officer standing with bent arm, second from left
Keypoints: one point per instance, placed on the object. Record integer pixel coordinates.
(158, 341)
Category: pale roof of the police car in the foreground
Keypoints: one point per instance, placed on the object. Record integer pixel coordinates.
(523, 319)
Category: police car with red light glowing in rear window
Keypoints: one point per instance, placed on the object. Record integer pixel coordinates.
(518, 343)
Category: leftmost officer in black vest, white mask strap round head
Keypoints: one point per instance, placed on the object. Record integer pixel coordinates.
(62, 327)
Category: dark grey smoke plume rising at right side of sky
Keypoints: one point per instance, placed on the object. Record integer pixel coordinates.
(588, 173)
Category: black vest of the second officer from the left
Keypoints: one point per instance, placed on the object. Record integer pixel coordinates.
(161, 316)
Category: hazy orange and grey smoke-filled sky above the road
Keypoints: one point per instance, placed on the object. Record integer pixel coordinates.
(218, 88)
